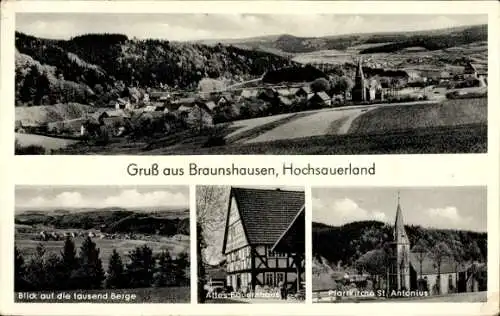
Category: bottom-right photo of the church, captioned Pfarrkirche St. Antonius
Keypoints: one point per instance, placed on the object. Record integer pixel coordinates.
(423, 244)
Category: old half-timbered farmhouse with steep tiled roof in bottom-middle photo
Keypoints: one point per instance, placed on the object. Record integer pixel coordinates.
(264, 239)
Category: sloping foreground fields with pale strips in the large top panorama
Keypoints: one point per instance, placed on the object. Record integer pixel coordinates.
(452, 126)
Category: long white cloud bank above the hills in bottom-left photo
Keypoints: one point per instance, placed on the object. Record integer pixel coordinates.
(126, 198)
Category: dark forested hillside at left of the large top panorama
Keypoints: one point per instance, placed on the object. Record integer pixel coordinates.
(101, 67)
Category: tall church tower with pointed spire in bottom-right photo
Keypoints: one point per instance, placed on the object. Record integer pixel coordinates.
(402, 242)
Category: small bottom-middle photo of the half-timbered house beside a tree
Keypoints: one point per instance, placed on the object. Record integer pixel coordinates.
(251, 244)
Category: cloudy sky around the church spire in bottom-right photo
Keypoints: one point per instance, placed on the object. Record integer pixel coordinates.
(447, 208)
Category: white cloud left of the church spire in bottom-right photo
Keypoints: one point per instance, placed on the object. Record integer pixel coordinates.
(342, 211)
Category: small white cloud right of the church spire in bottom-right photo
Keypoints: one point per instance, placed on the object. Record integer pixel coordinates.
(446, 217)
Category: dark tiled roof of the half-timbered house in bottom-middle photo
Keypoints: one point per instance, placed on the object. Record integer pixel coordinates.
(267, 214)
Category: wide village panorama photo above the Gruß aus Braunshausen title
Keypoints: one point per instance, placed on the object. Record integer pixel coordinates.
(224, 84)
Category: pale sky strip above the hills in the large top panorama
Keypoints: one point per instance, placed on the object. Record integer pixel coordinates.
(187, 27)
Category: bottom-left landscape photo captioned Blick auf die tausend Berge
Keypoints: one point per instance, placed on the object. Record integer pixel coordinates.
(102, 244)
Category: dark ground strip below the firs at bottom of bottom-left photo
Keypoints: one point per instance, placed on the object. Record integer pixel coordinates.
(176, 294)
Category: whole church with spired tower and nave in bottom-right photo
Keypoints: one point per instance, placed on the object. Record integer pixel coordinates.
(406, 269)
